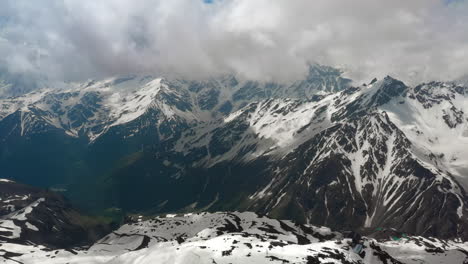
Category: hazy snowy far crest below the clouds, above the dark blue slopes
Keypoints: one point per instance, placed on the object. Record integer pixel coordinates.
(91, 108)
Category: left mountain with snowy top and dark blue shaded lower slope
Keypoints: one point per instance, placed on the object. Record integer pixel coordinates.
(56, 132)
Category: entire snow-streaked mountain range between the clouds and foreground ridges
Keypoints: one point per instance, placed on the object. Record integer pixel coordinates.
(321, 151)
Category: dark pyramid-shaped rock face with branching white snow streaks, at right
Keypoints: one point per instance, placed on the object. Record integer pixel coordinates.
(364, 171)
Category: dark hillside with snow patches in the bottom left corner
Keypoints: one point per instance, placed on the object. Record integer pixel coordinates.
(37, 220)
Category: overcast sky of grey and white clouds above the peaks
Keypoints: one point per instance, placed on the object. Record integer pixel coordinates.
(414, 40)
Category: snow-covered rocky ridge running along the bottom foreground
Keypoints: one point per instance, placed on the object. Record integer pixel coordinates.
(237, 238)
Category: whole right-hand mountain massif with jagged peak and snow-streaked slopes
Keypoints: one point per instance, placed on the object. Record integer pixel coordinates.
(347, 154)
